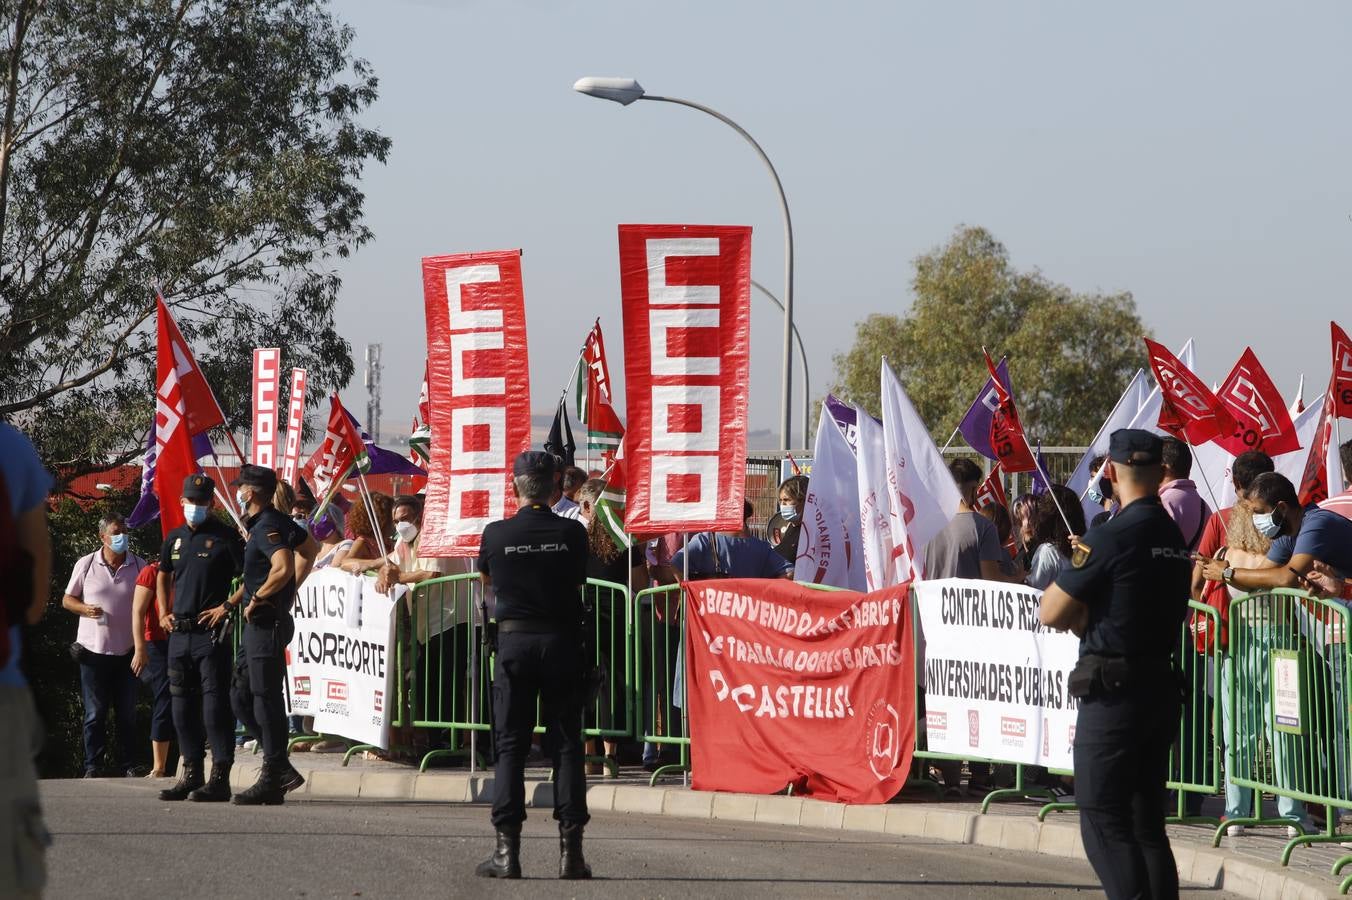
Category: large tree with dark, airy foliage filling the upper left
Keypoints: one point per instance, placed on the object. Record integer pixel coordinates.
(208, 147)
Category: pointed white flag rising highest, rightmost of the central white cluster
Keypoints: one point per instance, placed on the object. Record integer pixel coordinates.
(921, 495)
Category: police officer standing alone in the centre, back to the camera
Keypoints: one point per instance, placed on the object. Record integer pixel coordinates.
(537, 563)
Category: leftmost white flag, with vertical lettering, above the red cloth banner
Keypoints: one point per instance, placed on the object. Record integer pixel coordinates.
(829, 548)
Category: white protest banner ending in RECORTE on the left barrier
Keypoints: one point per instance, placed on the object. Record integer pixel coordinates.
(341, 663)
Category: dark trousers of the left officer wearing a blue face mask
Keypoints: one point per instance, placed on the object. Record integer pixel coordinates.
(199, 683)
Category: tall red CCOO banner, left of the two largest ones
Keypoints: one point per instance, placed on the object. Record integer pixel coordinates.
(479, 395)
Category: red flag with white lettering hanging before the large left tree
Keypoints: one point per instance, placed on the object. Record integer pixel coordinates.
(175, 459)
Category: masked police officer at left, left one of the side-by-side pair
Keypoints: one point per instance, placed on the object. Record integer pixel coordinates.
(198, 563)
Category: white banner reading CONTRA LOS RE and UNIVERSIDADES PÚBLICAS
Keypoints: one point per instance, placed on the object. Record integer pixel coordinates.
(996, 680)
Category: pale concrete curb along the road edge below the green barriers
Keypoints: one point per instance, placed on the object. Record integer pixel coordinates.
(1201, 867)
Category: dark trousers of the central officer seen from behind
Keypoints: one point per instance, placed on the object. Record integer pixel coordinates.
(546, 668)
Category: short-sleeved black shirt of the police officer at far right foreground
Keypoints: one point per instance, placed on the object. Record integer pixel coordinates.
(1135, 575)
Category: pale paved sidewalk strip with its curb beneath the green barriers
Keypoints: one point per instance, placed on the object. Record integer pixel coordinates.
(1247, 867)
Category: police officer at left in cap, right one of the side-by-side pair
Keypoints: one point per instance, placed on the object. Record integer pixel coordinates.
(268, 591)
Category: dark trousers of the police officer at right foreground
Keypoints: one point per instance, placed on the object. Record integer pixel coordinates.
(1121, 764)
